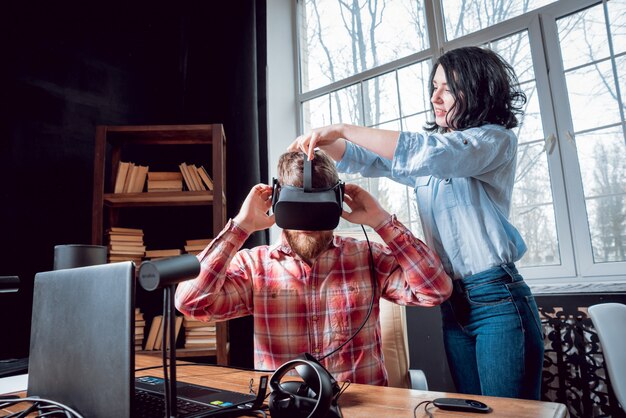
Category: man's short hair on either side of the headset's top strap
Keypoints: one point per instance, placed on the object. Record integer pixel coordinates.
(291, 166)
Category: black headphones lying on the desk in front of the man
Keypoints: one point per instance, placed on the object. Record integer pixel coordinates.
(315, 396)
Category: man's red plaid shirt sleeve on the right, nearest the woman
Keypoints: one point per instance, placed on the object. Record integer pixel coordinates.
(412, 273)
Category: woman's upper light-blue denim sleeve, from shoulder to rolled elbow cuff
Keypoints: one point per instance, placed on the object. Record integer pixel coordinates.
(468, 153)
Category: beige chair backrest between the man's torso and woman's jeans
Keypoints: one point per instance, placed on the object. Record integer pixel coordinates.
(395, 343)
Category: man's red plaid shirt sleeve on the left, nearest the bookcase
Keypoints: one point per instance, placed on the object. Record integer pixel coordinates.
(223, 289)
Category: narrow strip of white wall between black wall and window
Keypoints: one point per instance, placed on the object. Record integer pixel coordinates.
(281, 83)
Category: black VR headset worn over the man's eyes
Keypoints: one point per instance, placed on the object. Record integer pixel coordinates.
(306, 208)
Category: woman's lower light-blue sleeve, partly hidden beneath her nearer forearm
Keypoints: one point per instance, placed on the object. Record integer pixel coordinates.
(360, 160)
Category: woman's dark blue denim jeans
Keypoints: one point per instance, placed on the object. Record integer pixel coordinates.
(492, 335)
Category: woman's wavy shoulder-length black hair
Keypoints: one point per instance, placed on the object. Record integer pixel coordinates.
(484, 86)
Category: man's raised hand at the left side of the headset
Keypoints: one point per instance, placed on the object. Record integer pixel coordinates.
(253, 214)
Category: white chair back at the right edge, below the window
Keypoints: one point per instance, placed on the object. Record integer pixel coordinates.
(609, 319)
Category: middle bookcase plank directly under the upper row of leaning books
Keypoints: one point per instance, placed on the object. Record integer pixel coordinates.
(158, 199)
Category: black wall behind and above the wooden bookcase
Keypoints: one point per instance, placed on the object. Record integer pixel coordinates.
(68, 67)
